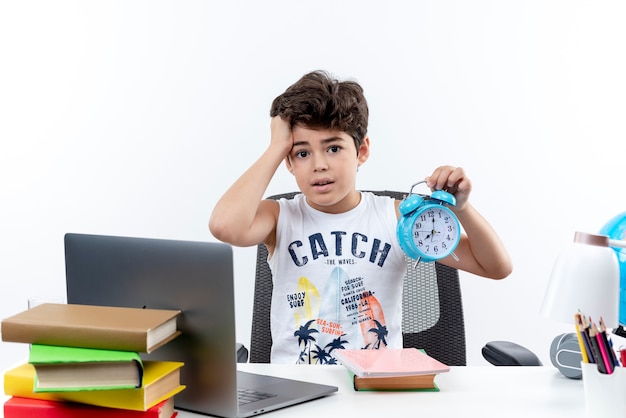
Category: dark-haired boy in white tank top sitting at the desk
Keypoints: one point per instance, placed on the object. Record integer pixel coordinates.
(337, 267)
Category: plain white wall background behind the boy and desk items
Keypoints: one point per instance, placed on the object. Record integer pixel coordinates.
(133, 117)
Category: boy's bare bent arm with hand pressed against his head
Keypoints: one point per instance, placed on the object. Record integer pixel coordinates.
(241, 217)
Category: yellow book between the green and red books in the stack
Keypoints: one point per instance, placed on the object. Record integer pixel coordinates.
(161, 380)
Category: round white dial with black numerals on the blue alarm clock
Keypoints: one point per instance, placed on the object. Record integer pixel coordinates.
(435, 231)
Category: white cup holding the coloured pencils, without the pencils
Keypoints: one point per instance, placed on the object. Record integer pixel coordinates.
(604, 393)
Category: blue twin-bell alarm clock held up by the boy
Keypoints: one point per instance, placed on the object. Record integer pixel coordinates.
(427, 229)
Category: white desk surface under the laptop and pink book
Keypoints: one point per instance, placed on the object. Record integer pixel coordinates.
(488, 391)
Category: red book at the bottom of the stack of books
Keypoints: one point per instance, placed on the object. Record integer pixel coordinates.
(17, 407)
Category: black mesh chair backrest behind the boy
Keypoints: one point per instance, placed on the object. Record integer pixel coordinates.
(432, 308)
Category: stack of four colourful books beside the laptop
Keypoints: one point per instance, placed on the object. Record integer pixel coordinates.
(84, 361)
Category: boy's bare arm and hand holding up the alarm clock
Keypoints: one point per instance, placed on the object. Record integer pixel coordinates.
(480, 250)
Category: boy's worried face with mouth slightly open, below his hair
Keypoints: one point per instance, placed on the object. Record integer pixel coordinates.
(325, 164)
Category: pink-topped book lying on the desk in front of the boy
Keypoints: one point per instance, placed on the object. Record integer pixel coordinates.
(391, 369)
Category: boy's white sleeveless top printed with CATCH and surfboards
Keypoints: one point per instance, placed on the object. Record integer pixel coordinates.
(337, 280)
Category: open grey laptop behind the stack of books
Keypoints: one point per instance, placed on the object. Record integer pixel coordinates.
(197, 278)
